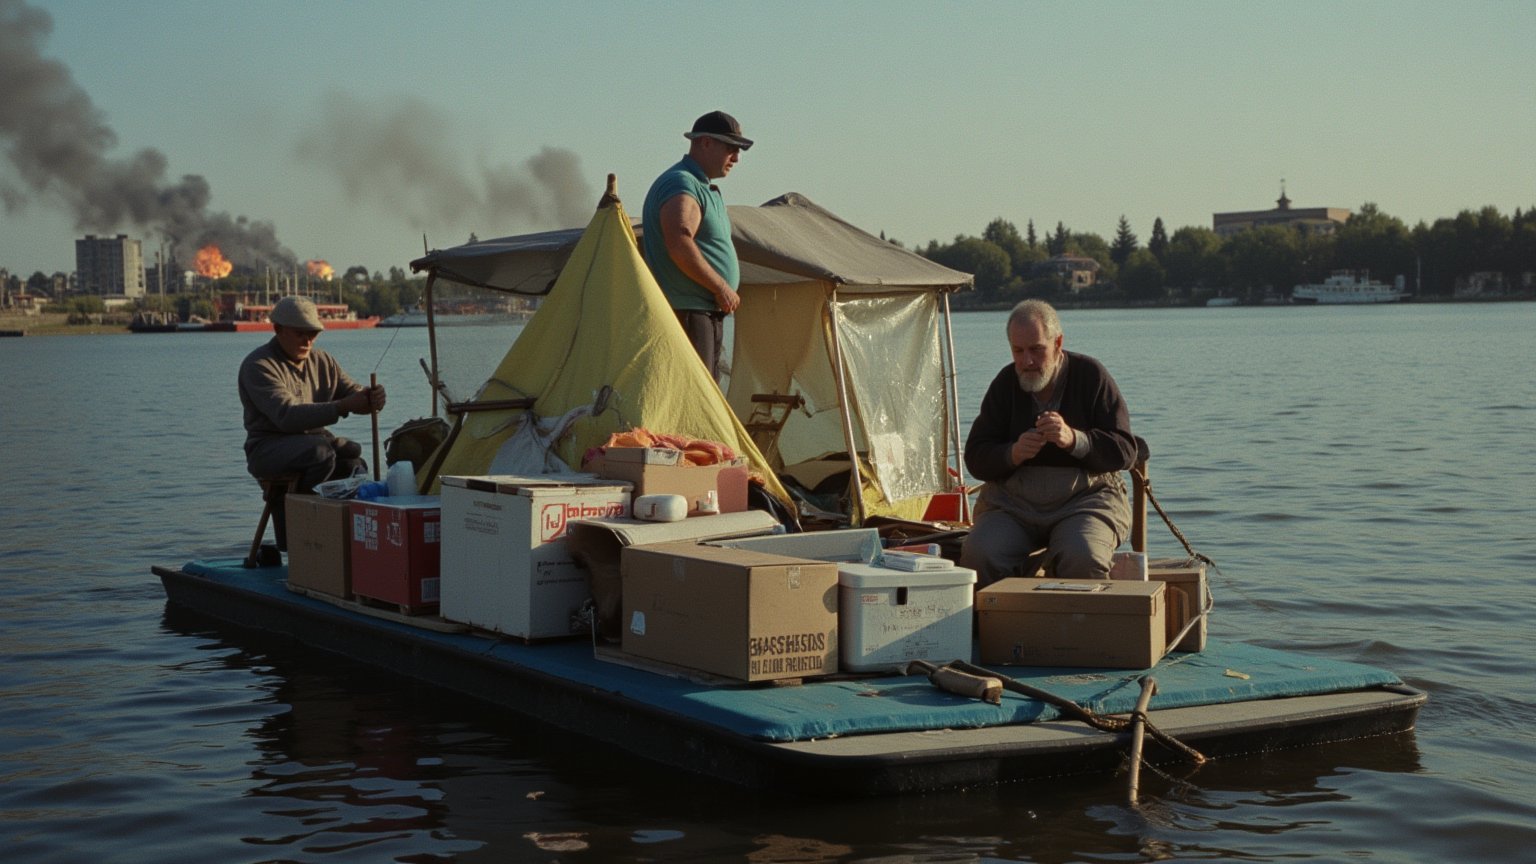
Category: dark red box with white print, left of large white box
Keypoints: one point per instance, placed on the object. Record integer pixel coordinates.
(396, 545)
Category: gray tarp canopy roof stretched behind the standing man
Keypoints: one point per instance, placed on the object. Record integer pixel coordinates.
(787, 241)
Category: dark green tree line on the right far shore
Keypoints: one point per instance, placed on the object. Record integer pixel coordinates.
(1197, 264)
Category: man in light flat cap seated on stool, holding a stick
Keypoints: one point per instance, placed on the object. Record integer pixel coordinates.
(291, 393)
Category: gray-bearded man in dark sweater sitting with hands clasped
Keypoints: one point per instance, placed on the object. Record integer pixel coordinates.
(1051, 440)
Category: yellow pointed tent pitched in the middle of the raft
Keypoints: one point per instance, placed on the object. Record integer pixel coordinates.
(603, 354)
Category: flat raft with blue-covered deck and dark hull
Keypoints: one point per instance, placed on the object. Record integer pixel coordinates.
(867, 736)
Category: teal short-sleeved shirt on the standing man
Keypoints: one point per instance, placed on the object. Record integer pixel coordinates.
(715, 238)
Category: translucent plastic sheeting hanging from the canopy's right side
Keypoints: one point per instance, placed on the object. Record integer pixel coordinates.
(895, 368)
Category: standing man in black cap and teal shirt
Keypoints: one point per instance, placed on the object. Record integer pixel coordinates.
(689, 236)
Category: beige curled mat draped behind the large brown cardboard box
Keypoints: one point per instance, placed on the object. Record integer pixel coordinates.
(597, 545)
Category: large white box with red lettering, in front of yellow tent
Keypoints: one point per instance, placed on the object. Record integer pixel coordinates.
(505, 560)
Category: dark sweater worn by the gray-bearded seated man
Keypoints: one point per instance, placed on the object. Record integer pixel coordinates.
(1090, 402)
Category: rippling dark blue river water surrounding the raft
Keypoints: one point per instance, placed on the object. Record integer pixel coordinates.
(1363, 479)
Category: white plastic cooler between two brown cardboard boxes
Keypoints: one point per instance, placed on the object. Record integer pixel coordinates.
(890, 617)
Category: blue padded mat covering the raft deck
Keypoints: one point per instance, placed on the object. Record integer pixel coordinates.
(1225, 673)
